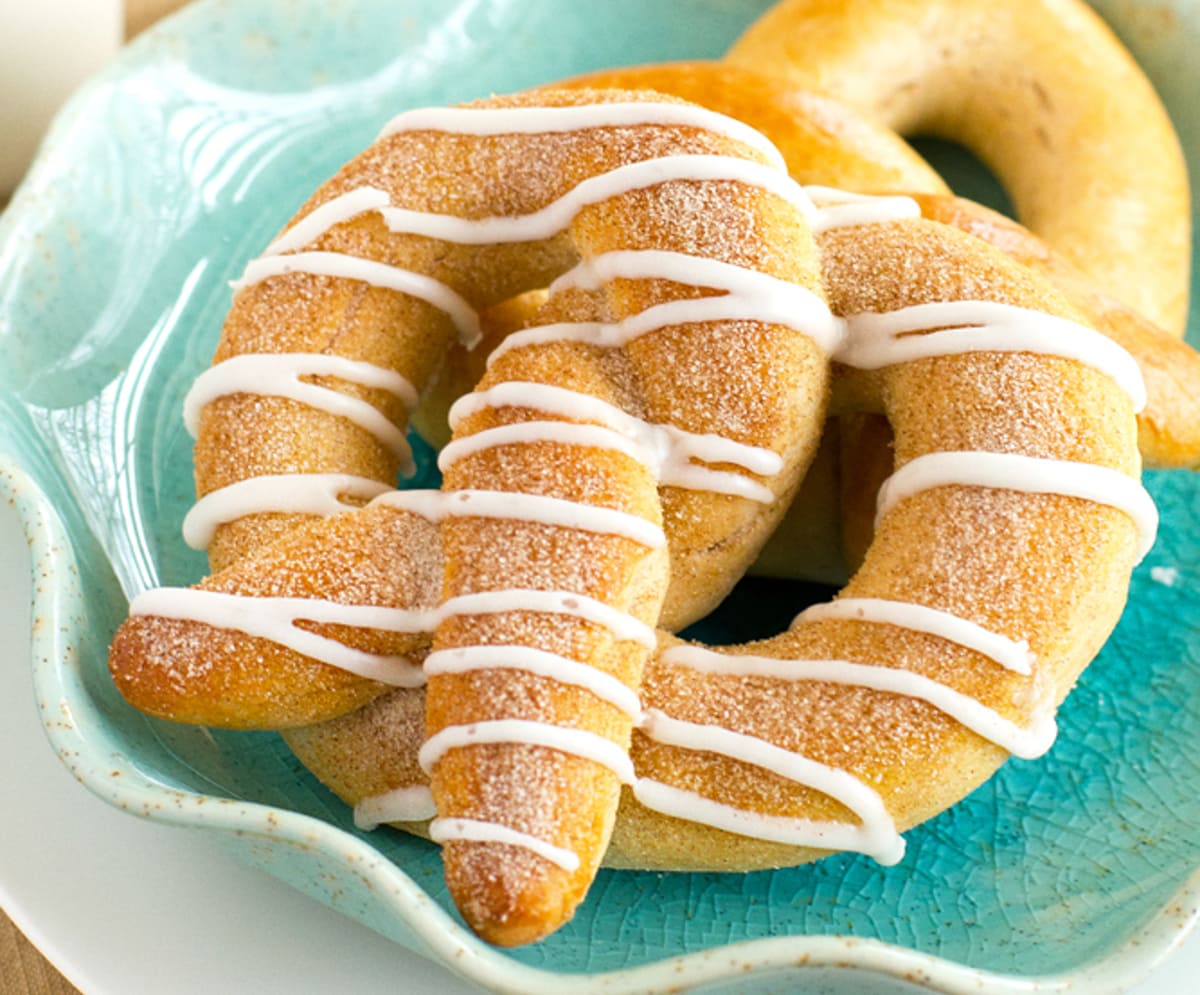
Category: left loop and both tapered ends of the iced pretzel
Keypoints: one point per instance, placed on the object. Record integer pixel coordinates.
(645, 431)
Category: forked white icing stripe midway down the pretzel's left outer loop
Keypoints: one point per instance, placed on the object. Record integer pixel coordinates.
(279, 375)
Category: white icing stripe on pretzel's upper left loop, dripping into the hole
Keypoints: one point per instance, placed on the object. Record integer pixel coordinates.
(343, 267)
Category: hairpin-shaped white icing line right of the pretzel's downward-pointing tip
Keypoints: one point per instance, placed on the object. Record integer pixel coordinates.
(878, 835)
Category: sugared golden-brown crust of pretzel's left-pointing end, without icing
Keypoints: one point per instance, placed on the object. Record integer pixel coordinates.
(193, 673)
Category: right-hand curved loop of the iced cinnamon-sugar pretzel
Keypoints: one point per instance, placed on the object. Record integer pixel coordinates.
(1000, 565)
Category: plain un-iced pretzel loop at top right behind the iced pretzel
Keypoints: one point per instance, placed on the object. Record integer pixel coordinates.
(1041, 92)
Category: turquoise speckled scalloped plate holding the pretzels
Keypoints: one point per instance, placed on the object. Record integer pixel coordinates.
(160, 181)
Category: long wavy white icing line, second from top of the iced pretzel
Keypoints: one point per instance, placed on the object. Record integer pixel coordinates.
(559, 214)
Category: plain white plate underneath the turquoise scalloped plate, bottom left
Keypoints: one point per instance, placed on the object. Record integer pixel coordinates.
(124, 907)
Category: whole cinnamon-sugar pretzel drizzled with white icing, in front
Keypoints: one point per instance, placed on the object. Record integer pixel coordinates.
(614, 472)
